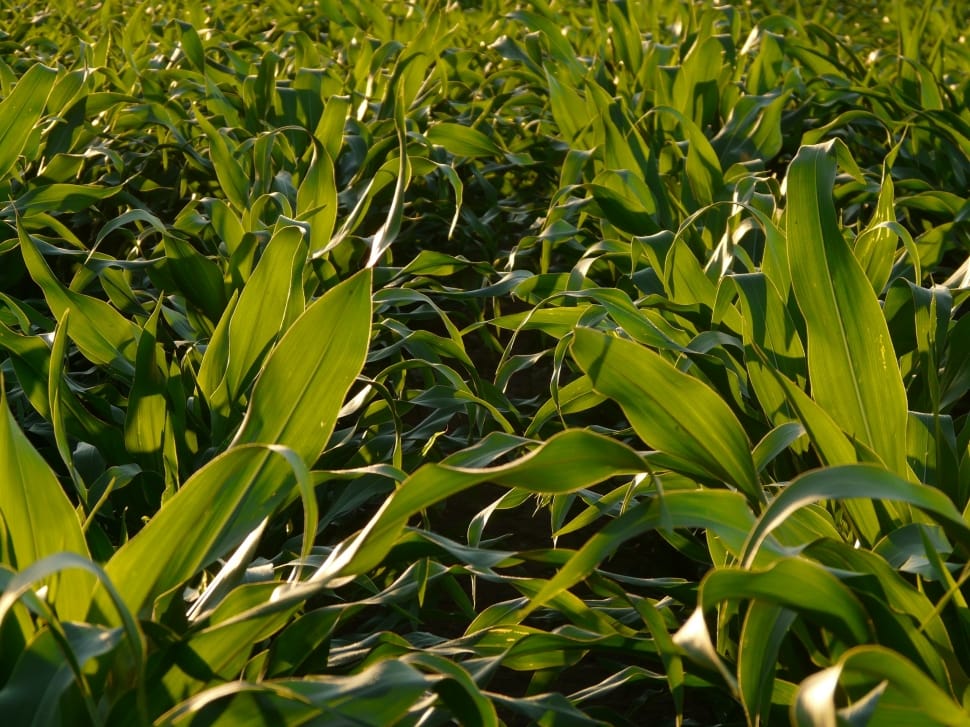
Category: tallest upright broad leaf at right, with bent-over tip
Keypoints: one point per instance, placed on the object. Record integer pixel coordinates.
(851, 363)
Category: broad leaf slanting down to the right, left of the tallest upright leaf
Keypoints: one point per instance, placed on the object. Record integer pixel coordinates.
(670, 410)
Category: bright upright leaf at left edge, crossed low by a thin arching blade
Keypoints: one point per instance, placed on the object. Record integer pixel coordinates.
(39, 519)
